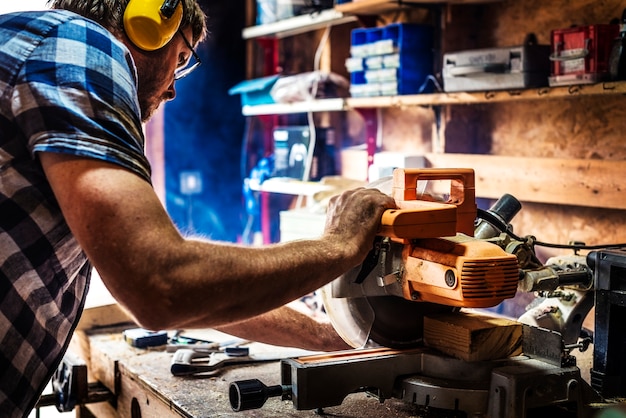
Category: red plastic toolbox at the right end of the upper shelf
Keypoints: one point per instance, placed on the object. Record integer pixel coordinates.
(580, 54)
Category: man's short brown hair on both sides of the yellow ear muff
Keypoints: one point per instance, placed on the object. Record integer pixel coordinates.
(110, 14)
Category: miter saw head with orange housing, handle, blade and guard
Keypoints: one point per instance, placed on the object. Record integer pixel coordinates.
(425, 260)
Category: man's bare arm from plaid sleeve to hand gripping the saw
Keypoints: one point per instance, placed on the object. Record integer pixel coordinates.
(169, 282)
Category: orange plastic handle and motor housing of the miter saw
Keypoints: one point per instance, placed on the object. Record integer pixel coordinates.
(458, 270)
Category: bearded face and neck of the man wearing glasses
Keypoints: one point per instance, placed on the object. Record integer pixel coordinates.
(156, 73)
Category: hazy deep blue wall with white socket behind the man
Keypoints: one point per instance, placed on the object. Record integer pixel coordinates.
(203, 130)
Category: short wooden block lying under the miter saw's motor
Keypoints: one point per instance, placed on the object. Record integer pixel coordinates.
(472, 336)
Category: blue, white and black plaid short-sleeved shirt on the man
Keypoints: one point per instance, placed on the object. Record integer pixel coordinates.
(66, 85)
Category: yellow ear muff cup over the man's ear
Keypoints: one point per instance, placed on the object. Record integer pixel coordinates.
(150, 24)
